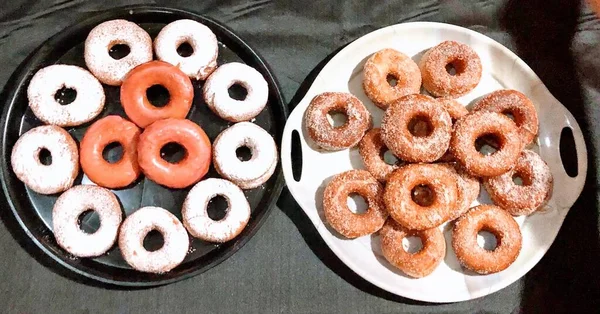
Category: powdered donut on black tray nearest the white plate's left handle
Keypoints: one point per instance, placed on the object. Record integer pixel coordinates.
(251, 173)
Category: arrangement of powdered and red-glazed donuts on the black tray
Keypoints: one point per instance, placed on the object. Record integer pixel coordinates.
(143, 132)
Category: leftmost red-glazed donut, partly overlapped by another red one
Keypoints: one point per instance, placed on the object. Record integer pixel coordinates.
(107, 130)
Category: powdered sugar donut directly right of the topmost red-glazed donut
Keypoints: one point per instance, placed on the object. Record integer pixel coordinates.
(216, 94)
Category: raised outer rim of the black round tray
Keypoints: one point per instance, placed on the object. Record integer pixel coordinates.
(19, 77)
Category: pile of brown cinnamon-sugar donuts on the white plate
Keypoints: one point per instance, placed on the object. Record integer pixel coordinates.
(443, 152)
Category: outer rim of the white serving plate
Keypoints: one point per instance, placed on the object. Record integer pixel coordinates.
(294, 125)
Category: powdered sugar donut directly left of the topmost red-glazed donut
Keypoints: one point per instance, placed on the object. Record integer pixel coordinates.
(46, 82)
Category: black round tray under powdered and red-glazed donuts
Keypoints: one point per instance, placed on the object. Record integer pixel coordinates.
(34, 211)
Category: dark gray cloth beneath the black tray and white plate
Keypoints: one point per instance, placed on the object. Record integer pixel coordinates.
(286, 267)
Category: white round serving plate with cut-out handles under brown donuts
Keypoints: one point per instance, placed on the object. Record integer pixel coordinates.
(501, 69)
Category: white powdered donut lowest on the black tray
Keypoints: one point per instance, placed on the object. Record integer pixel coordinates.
(135, 228)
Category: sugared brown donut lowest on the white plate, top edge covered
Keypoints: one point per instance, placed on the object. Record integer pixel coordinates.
(418, 264)
